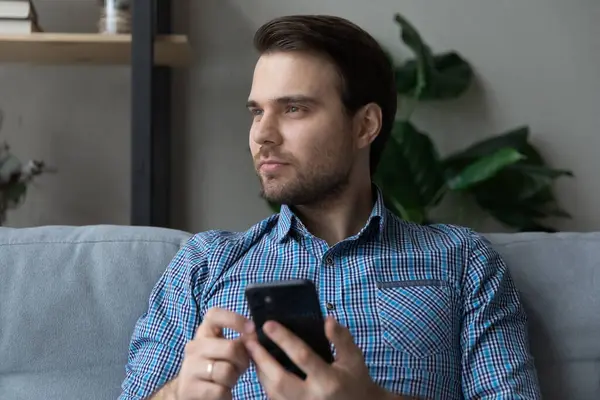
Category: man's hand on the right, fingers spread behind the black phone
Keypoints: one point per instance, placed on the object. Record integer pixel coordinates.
(346, 379)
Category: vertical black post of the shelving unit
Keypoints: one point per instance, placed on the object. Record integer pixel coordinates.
(151, 117)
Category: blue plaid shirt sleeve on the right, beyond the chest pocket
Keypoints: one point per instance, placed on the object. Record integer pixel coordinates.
(496, 361)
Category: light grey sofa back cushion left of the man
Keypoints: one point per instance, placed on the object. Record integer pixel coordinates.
(69, 299)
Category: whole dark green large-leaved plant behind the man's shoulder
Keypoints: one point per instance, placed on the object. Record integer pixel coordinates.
(505, 175)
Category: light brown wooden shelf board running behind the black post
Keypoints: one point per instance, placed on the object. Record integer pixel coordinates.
(94, 48)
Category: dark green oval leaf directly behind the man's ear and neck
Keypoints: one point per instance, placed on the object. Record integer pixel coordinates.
(409, 172)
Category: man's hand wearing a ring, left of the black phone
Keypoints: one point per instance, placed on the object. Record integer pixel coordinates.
(213, 364)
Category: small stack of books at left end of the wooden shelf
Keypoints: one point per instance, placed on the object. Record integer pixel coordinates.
(18, 17)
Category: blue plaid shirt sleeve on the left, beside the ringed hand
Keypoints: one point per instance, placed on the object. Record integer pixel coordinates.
(160, 334)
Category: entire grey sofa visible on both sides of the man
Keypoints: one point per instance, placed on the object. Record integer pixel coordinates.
(69, 297)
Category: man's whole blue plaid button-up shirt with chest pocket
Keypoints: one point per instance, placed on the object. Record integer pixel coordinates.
(433, 308)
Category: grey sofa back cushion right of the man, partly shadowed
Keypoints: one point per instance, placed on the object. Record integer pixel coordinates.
(558, 276)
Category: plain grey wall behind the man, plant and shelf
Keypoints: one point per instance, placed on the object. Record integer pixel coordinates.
(538, 63)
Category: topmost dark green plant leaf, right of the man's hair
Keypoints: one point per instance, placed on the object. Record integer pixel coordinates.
(430, 77)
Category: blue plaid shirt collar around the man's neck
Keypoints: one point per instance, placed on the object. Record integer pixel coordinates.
(288, 222)
